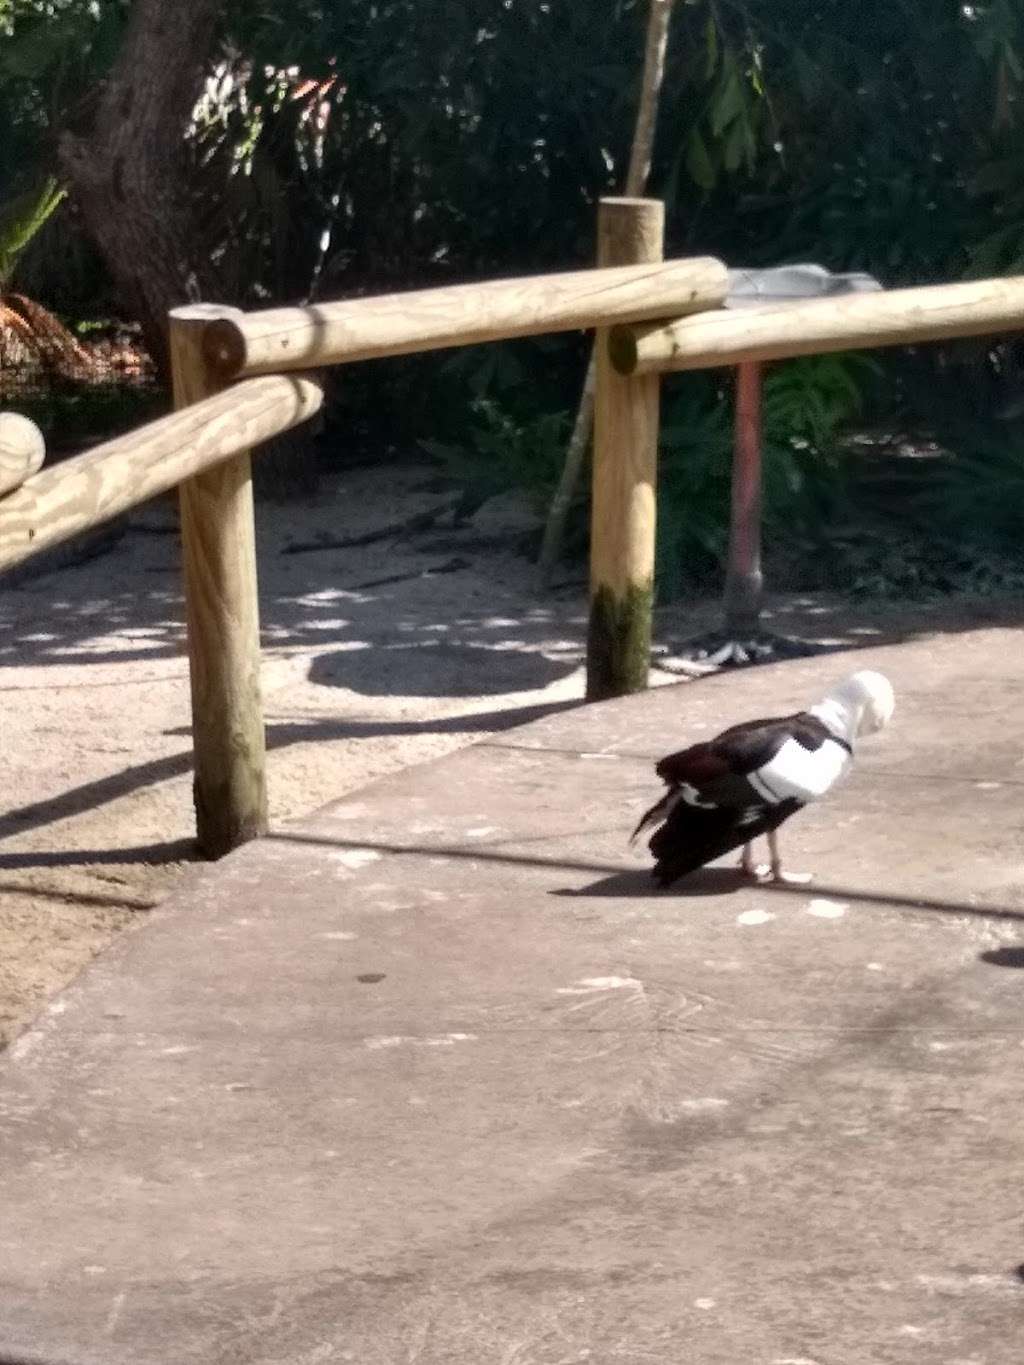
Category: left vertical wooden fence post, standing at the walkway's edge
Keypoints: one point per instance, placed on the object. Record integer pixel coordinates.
(223, 615)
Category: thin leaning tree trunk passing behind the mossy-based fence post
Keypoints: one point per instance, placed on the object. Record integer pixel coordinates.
(638, 171)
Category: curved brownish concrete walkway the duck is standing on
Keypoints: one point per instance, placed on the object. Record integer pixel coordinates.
(435, 1078)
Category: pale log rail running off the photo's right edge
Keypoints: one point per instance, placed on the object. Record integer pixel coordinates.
(812, 327)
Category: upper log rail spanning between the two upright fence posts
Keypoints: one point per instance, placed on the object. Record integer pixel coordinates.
(465, 315)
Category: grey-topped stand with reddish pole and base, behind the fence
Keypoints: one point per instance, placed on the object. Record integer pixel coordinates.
(742, 641)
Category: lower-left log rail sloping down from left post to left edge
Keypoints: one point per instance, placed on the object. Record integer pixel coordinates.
(89, 489)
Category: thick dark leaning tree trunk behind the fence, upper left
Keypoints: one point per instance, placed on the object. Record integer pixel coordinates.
(125, 171)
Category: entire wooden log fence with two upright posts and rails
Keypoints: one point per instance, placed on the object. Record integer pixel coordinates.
(245, 377)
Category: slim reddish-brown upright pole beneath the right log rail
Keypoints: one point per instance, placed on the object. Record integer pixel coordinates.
(743, 581)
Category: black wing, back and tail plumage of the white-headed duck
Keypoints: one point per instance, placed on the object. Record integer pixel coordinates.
(724, 794)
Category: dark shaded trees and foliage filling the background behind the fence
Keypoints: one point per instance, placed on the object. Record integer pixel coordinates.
(286, 149)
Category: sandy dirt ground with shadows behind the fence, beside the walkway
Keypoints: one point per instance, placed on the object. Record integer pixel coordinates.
(375, 657)
